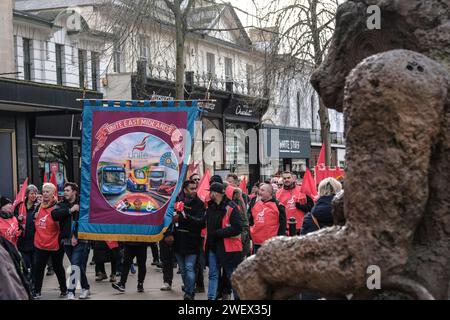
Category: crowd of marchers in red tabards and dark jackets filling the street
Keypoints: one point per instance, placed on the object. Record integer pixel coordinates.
(218, 232)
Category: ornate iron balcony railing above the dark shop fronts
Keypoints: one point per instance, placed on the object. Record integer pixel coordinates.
(164, 72)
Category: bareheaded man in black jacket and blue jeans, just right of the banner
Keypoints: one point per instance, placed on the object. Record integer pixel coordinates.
(188, 224)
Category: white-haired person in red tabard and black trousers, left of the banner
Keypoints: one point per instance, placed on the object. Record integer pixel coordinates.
(47, 242)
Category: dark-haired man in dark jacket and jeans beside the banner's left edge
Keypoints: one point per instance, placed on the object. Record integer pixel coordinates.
(67, 214)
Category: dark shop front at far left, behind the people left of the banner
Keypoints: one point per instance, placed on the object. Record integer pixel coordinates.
(39, 131)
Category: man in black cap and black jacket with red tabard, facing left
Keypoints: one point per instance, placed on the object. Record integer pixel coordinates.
(223, 244)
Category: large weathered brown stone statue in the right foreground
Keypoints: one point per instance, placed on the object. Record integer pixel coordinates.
(393, 85)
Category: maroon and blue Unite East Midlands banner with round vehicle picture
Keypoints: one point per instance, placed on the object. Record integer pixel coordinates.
(134, 159)
